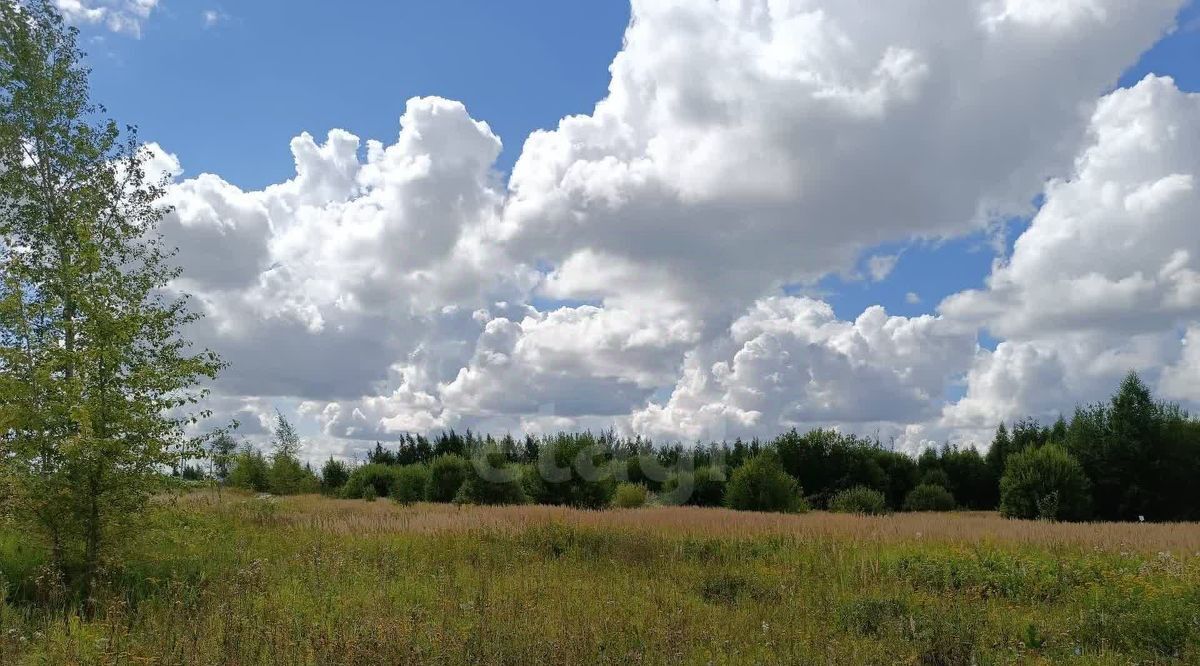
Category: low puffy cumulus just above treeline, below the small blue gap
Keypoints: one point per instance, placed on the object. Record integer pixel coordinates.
(790, 363)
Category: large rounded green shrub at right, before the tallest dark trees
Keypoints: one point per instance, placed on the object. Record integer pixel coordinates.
(1046, 483)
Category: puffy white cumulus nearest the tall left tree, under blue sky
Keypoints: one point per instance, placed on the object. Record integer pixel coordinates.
(316, 286)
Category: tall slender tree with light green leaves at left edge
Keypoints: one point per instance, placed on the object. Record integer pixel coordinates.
(98, 387)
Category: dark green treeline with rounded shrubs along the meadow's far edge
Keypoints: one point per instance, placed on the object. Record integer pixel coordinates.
(1130, 459)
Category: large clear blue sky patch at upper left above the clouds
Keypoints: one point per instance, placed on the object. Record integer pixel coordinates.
(227, 98)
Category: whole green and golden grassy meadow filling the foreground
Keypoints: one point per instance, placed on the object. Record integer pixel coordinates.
(310, 580)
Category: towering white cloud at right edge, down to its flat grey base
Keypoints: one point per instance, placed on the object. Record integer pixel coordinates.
(1114, 248)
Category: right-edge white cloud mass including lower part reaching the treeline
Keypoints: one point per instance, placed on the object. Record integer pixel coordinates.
(1107, 279)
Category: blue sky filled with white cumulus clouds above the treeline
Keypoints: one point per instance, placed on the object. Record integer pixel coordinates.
(683, 220)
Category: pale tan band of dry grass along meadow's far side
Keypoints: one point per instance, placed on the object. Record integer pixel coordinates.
(344, 517)
